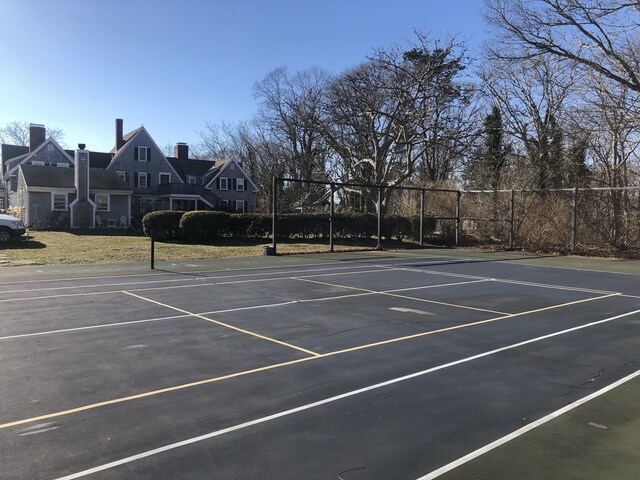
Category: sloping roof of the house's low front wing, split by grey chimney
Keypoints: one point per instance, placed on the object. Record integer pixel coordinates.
(58, 177)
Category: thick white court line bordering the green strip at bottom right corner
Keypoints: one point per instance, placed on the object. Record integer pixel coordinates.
(521, 431)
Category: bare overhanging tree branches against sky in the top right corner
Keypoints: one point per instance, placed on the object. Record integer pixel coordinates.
(598, 35)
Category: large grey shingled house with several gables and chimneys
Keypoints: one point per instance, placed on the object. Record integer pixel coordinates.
(154, 182)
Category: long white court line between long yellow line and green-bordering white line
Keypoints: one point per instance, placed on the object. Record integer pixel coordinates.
(217, 433)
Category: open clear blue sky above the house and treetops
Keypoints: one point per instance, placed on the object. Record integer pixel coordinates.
(173, 66)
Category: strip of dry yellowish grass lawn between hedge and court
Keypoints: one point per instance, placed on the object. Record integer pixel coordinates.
(50, 248)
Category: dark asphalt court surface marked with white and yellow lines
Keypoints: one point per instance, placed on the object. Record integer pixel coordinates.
(373, 366)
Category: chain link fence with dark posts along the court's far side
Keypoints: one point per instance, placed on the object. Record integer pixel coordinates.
(581, 220)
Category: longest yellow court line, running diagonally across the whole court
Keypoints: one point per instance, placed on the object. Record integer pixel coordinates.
(284, 364)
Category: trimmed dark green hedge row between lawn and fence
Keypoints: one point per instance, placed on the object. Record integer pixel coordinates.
(210, 226)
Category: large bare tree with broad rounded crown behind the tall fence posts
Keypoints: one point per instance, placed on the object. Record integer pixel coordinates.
(397, 114)
